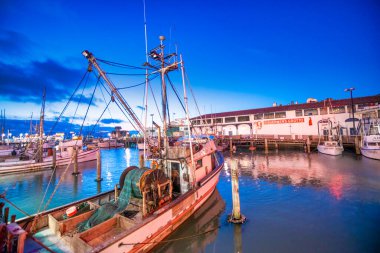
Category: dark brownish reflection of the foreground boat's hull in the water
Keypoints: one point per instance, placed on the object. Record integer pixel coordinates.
(204, 219)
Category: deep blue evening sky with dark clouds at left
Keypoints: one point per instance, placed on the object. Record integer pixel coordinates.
(238, 54)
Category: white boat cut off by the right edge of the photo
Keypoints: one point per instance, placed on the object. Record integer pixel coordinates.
(370, 146)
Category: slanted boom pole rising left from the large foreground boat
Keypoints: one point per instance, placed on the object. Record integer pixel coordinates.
(90, 57)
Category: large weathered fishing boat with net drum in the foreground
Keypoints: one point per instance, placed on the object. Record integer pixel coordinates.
(149, 202)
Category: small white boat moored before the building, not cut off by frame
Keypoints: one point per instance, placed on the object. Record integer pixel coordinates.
(329, 142)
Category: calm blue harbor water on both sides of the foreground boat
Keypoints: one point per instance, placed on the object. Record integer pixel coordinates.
(294, 202)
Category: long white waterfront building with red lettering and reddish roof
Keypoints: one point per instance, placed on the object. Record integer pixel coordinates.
(294, 120)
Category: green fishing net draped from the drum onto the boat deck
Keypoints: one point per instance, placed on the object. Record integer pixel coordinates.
(108, 210)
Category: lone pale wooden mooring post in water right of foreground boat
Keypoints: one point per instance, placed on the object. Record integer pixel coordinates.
(236, 216)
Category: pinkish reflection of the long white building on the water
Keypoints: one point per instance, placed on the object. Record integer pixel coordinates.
(336, 173)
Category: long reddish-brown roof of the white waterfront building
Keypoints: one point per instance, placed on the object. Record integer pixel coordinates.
(281, 108)
